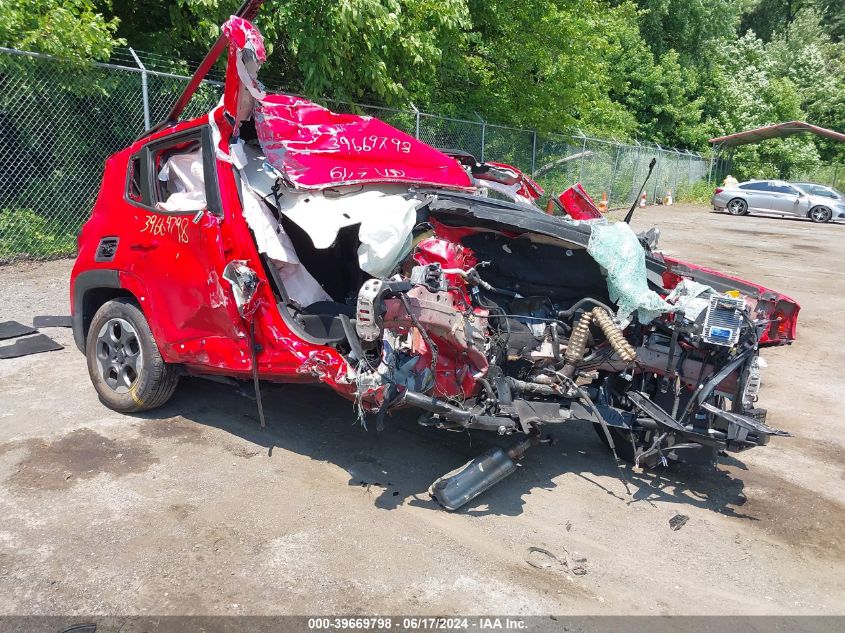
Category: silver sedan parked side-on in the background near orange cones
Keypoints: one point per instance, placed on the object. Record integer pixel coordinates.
(777, 197)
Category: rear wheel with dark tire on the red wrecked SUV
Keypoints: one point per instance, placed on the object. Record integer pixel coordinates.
(124, 363)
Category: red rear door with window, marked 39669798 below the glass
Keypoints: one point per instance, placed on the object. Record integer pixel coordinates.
(177, 243)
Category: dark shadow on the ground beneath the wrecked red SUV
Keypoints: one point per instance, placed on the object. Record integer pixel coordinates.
(398, 464)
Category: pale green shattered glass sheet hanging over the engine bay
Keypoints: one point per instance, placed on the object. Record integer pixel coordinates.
(616, 249)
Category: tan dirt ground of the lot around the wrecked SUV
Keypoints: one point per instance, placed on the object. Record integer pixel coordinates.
(193, 509)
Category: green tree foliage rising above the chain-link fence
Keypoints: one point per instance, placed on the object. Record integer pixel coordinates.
(676, 72)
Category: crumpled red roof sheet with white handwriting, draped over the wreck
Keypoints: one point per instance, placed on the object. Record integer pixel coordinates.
(316, 148)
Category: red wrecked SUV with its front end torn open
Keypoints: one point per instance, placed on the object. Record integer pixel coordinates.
(275, 240)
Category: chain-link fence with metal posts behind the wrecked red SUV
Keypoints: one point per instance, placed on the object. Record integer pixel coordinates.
(60, 120)
